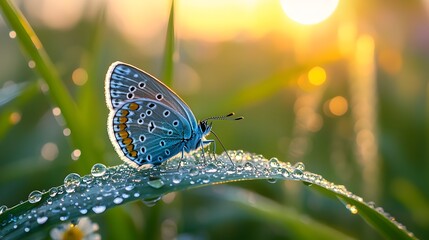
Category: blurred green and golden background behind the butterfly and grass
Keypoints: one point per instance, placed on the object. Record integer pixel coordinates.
(341, 86)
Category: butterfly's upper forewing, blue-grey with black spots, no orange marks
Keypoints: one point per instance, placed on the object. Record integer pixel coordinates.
(125, 83)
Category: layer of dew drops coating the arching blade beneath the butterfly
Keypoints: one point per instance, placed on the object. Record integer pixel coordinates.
(106, 187)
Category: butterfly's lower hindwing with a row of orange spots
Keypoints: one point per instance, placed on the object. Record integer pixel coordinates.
(148, 131)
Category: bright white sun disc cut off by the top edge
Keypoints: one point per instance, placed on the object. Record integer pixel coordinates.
(309, 12)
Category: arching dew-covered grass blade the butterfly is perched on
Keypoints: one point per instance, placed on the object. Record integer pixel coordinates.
(87, 195)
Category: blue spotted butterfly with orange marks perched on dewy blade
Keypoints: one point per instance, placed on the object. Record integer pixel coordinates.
(149, 123)
